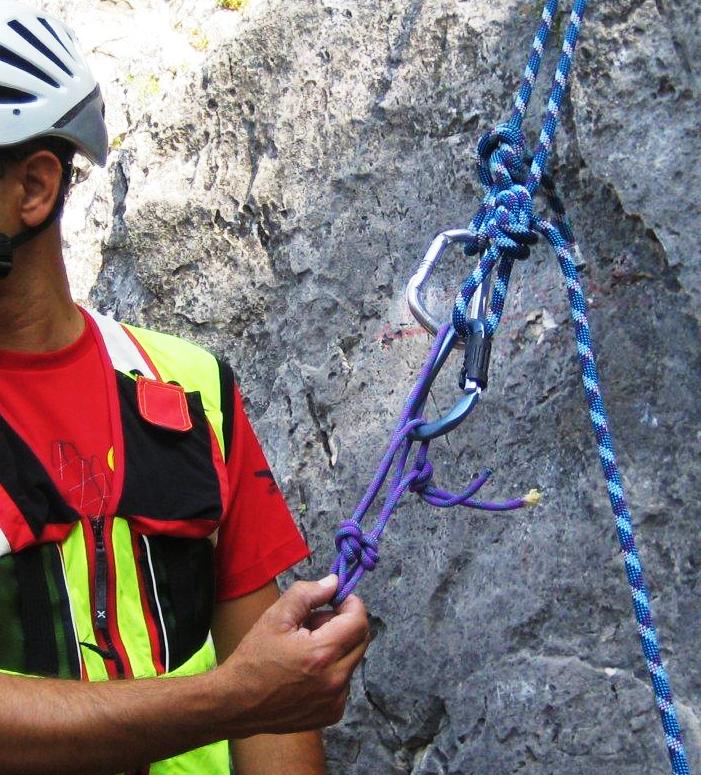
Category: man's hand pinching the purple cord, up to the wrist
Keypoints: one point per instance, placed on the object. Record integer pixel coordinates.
(293, 668)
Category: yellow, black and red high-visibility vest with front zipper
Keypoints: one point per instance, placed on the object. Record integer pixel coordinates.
(130, 593)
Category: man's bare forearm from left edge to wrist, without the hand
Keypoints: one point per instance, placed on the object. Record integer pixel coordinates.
(62, 726)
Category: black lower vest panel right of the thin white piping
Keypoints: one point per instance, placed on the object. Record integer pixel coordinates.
(185, 577)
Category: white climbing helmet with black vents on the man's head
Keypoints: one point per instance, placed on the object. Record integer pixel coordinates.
(46, 87)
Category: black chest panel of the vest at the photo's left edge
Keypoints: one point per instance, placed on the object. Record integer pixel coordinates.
(29, 485)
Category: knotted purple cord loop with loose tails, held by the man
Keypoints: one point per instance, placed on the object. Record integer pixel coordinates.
(358, 551)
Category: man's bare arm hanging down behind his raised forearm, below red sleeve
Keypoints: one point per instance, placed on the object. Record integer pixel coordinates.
(301, 753)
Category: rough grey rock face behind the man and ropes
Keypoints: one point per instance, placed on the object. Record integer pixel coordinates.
(275, 177)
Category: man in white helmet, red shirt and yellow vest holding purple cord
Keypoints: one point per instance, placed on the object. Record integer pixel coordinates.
(125, 458)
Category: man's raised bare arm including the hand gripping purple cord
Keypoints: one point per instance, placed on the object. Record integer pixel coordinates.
(282, 678)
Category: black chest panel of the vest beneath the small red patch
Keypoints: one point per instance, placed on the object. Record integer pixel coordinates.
(169, 475)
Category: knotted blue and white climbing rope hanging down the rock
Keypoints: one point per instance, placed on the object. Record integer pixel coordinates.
(504, 227)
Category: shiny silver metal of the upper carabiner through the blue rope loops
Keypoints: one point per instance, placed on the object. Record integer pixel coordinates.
(415, 290)
